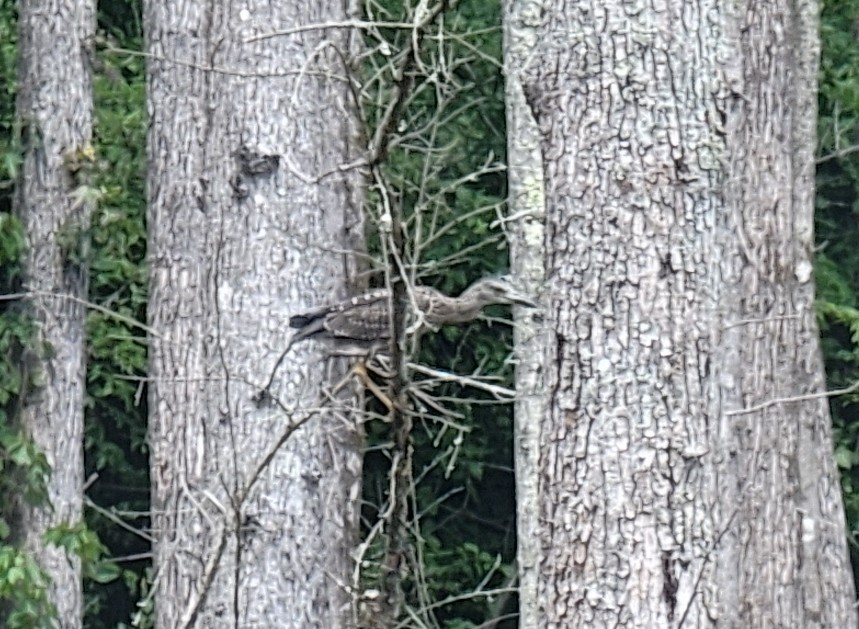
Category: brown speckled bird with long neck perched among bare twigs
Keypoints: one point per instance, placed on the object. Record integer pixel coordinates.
(361, 324)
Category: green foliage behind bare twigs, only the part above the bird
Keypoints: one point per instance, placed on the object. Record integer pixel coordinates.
(446, 166)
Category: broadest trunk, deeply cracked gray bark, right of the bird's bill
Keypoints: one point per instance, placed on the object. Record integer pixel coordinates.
(686, 472)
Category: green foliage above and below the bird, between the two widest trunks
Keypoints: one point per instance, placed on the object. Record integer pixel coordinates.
(445, 171)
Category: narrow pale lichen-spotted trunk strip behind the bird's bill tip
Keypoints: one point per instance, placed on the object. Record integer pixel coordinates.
(526, 211)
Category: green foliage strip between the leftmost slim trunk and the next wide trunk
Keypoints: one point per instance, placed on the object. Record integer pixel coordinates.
(115, 440)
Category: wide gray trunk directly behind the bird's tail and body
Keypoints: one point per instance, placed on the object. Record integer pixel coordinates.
(253, 217)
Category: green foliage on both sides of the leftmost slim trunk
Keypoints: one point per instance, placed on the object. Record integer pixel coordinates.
(108, 175)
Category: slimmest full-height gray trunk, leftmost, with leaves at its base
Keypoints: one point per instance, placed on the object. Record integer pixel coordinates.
(55, 110)
